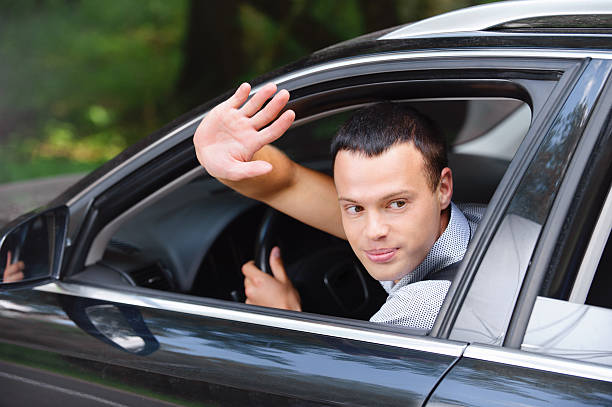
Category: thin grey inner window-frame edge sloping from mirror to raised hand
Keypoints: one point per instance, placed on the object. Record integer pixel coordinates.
(97, 248)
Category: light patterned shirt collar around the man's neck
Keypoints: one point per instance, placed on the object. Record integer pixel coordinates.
(448, 249)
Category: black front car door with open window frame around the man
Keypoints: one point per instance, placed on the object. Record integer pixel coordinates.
(191, 350)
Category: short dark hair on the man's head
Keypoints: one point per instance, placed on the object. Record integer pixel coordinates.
(372, 130)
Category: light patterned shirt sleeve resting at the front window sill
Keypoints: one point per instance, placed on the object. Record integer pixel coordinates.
(415, 305)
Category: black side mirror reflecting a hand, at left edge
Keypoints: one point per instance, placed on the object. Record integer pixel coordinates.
(31, 247)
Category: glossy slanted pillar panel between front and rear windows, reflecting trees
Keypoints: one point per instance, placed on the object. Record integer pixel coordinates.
(489, 304)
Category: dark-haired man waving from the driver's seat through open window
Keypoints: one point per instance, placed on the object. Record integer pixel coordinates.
(390, 197)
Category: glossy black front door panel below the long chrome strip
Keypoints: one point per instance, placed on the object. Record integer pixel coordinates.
(203, 359)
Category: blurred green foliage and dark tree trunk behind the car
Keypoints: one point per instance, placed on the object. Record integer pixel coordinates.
(82, 79)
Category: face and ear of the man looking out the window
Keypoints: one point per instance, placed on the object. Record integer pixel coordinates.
(390, 214)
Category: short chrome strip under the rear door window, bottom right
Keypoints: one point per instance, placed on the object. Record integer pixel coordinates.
(538, 362)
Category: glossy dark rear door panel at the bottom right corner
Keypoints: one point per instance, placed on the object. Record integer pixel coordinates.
(478, 382)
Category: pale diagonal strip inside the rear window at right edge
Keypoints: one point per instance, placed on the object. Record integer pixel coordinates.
(593, 253)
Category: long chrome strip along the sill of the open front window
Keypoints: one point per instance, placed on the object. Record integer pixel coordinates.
(424, 344)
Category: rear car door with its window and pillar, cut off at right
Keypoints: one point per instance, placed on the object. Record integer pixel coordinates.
(535, 338)
